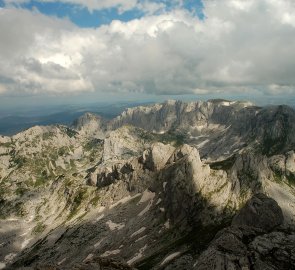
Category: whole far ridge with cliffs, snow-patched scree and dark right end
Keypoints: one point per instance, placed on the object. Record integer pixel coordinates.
(219, 128)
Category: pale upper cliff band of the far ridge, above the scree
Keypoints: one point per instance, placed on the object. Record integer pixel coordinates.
(177, 114)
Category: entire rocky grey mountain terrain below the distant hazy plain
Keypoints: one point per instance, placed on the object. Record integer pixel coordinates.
(177, 185)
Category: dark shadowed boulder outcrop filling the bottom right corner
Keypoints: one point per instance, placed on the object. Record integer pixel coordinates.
(249, 242)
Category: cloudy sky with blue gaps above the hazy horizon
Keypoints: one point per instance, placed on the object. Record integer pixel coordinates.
(73, 50)
